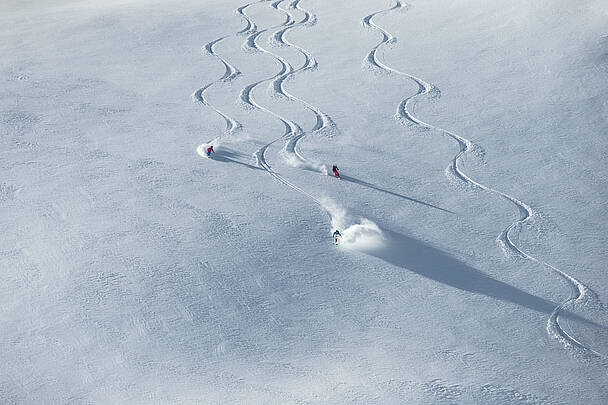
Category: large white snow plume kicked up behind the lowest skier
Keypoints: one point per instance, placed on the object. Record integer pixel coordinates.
(357, 233)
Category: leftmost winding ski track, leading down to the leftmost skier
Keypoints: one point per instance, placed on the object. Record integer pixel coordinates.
(230, 73)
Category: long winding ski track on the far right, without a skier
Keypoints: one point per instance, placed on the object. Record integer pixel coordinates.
(578, 289)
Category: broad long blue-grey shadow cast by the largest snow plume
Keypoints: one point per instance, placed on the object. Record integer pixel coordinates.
(432, 263)
